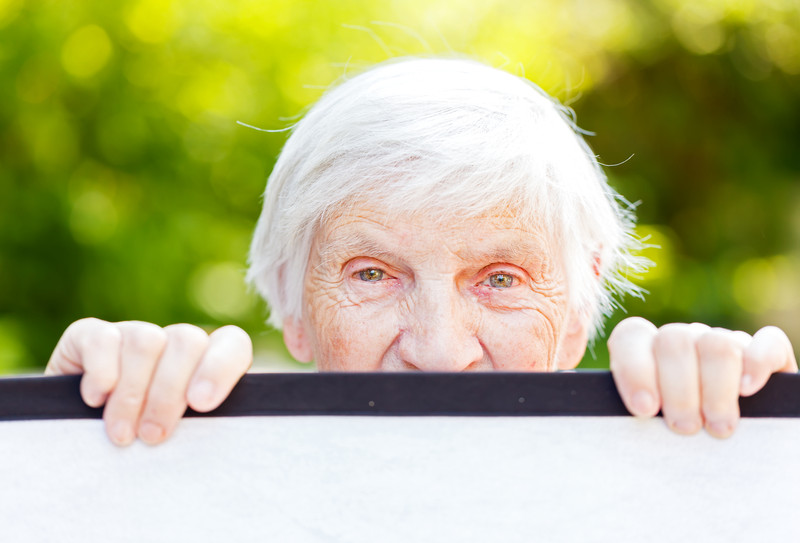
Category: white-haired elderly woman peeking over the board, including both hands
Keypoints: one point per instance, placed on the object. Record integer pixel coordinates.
(433, 215)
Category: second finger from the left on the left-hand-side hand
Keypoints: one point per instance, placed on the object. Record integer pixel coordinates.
(141, 347)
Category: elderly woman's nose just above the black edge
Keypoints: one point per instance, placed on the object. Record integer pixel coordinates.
(441, 333)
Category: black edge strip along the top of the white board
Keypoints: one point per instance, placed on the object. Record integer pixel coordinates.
(589, 393)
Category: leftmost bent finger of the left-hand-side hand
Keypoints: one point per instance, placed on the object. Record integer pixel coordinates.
(91, 347)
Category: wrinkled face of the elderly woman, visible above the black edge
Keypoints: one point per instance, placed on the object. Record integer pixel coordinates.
(388, 293)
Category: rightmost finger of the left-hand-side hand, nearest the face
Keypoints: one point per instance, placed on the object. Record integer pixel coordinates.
(227, 358)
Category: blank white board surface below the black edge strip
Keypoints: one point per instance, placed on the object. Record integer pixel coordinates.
(351, 478)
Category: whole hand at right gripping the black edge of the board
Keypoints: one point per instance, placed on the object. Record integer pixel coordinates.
(693, 373)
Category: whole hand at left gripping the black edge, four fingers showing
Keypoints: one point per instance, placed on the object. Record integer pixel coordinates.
(146, 375)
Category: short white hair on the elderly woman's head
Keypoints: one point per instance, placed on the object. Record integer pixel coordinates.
(452, 138)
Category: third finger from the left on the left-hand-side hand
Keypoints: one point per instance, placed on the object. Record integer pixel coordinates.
(166, 397)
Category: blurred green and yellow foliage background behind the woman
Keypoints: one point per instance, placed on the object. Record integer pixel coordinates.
(128, 191)
